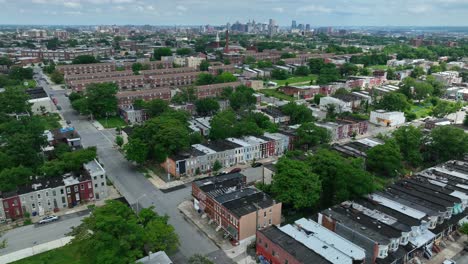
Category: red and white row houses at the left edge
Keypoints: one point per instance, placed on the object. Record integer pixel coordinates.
(44, 196)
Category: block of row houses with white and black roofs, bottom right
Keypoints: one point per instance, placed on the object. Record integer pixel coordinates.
(407, 222)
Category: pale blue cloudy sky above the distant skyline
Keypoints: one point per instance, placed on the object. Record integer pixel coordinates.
(218, 12)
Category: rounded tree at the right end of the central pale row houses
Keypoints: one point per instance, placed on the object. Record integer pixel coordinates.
(309, 135)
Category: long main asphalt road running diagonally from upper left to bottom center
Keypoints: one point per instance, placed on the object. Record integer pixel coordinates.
(135, 187)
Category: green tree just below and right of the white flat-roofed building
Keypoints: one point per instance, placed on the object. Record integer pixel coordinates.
(409, 140)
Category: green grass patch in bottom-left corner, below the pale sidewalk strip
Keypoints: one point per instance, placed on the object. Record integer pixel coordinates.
(67, 254)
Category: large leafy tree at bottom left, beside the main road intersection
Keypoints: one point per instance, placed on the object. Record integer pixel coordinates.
(113, 234)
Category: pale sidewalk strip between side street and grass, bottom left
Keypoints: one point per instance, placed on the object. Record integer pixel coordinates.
(31, 251)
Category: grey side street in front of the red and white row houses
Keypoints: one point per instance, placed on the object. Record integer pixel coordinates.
(31, 235)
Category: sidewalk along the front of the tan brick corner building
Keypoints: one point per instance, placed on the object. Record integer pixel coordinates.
(208, 227)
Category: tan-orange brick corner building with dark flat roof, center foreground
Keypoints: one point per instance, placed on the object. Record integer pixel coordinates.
(240, 211)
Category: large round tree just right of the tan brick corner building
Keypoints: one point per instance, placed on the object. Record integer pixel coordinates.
(295, 184)
